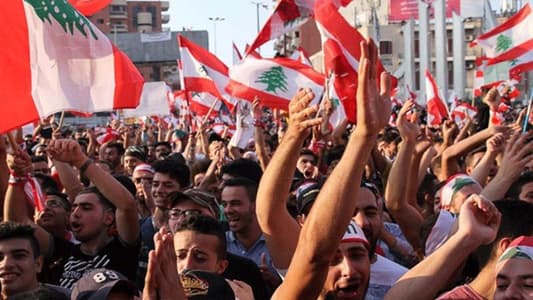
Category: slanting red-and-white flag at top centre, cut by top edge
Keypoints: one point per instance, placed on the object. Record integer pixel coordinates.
(288, 16)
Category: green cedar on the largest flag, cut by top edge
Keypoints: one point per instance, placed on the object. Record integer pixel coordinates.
(64, 14)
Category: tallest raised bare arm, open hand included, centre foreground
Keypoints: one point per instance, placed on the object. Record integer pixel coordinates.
(334, 205)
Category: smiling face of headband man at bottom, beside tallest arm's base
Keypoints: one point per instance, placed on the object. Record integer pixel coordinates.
(348, 273)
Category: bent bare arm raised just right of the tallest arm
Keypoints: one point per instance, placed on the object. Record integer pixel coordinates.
(408, 217)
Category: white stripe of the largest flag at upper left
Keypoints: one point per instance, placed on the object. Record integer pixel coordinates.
(50, 94)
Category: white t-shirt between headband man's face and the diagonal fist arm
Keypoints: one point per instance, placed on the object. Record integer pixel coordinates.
(383, 274)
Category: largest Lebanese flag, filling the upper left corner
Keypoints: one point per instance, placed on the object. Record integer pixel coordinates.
(50, 66)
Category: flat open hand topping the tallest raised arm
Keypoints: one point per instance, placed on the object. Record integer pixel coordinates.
(373, 104)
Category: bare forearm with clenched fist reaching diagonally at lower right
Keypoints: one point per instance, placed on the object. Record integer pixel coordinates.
(478, 224)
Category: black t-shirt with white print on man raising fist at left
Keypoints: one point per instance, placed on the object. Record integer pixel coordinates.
(115, 256)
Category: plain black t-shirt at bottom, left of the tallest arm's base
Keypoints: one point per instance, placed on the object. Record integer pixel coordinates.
(244, 269)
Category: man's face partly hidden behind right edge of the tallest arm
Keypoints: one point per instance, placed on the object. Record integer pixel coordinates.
(368, 216)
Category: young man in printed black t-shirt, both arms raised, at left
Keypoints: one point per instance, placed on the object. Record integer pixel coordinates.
(103, 218)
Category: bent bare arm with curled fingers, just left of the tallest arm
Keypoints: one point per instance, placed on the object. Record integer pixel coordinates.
(280, 229)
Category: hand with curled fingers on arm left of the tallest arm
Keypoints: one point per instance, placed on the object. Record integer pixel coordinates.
(301, 116)
